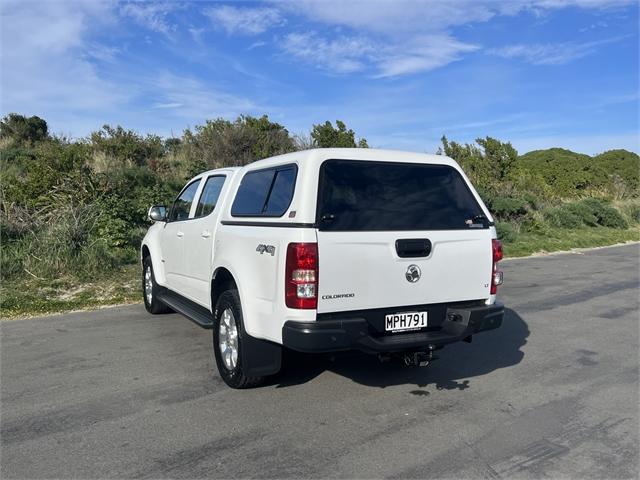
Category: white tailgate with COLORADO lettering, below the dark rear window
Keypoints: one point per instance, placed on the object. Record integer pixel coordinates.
(365, 270)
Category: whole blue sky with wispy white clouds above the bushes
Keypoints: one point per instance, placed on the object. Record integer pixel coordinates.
(538, 73)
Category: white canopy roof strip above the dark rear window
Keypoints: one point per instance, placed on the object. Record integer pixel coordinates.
(318, 155)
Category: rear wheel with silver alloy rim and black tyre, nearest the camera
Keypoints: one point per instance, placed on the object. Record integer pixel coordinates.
(228, 336)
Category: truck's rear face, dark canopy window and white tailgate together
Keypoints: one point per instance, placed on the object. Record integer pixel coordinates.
(396, 234)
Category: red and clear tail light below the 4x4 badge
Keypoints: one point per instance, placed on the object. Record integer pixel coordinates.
(301, 275)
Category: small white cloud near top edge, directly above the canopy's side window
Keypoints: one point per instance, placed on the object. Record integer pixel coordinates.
(244, 20)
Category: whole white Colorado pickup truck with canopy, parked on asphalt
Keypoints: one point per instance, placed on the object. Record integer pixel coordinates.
(386, 252)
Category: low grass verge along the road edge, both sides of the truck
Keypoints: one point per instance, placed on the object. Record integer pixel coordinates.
(31, 296)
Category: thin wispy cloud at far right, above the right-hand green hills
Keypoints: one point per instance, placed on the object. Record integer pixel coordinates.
(551, 53)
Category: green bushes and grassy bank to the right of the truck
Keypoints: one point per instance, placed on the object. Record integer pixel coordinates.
(555, 199)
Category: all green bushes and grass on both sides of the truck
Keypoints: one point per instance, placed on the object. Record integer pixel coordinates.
(73, 212)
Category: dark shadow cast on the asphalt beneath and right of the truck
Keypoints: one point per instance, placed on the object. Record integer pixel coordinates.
(457, 363)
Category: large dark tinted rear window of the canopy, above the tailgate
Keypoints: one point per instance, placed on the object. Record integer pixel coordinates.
(385, 196)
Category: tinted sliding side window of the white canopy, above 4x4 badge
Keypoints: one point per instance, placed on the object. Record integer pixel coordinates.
(265, 193)
